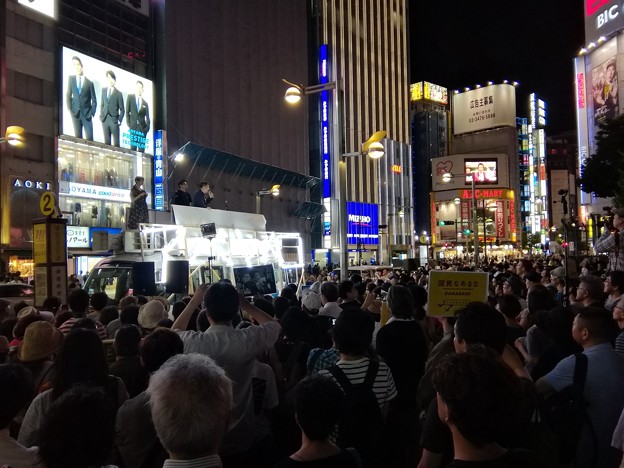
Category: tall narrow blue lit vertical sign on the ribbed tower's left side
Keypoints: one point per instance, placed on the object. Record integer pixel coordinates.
(325, 140)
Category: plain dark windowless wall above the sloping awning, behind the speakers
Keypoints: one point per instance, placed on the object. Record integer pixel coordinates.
(225, 64)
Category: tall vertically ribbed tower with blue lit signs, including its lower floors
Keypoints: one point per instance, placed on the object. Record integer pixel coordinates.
(364, 45)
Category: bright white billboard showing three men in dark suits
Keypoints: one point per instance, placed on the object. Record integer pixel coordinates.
(106, 104)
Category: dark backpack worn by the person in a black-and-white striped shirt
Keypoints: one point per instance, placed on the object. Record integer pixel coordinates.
(361, 424)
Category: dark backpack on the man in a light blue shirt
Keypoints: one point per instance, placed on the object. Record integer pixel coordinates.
(565, 412)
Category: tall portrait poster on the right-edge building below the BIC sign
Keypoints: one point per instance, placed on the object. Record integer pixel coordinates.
(605, 91)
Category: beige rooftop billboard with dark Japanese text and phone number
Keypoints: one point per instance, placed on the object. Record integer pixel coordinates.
(484, 108)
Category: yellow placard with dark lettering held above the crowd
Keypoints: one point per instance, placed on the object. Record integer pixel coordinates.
(449, 291)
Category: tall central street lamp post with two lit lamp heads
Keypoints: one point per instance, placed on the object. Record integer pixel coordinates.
(338, 194)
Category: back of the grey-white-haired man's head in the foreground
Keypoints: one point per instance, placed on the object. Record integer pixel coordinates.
(191, 399)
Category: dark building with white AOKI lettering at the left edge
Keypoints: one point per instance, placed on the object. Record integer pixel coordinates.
(27, 99)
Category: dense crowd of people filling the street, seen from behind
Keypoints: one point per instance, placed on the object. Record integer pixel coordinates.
(330, 373)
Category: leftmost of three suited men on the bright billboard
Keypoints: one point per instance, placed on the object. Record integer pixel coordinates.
(81, 101)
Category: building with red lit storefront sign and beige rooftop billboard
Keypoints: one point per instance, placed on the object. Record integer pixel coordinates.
(483, 146)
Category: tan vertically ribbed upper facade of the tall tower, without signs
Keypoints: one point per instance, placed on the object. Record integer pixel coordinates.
(368, 49)
